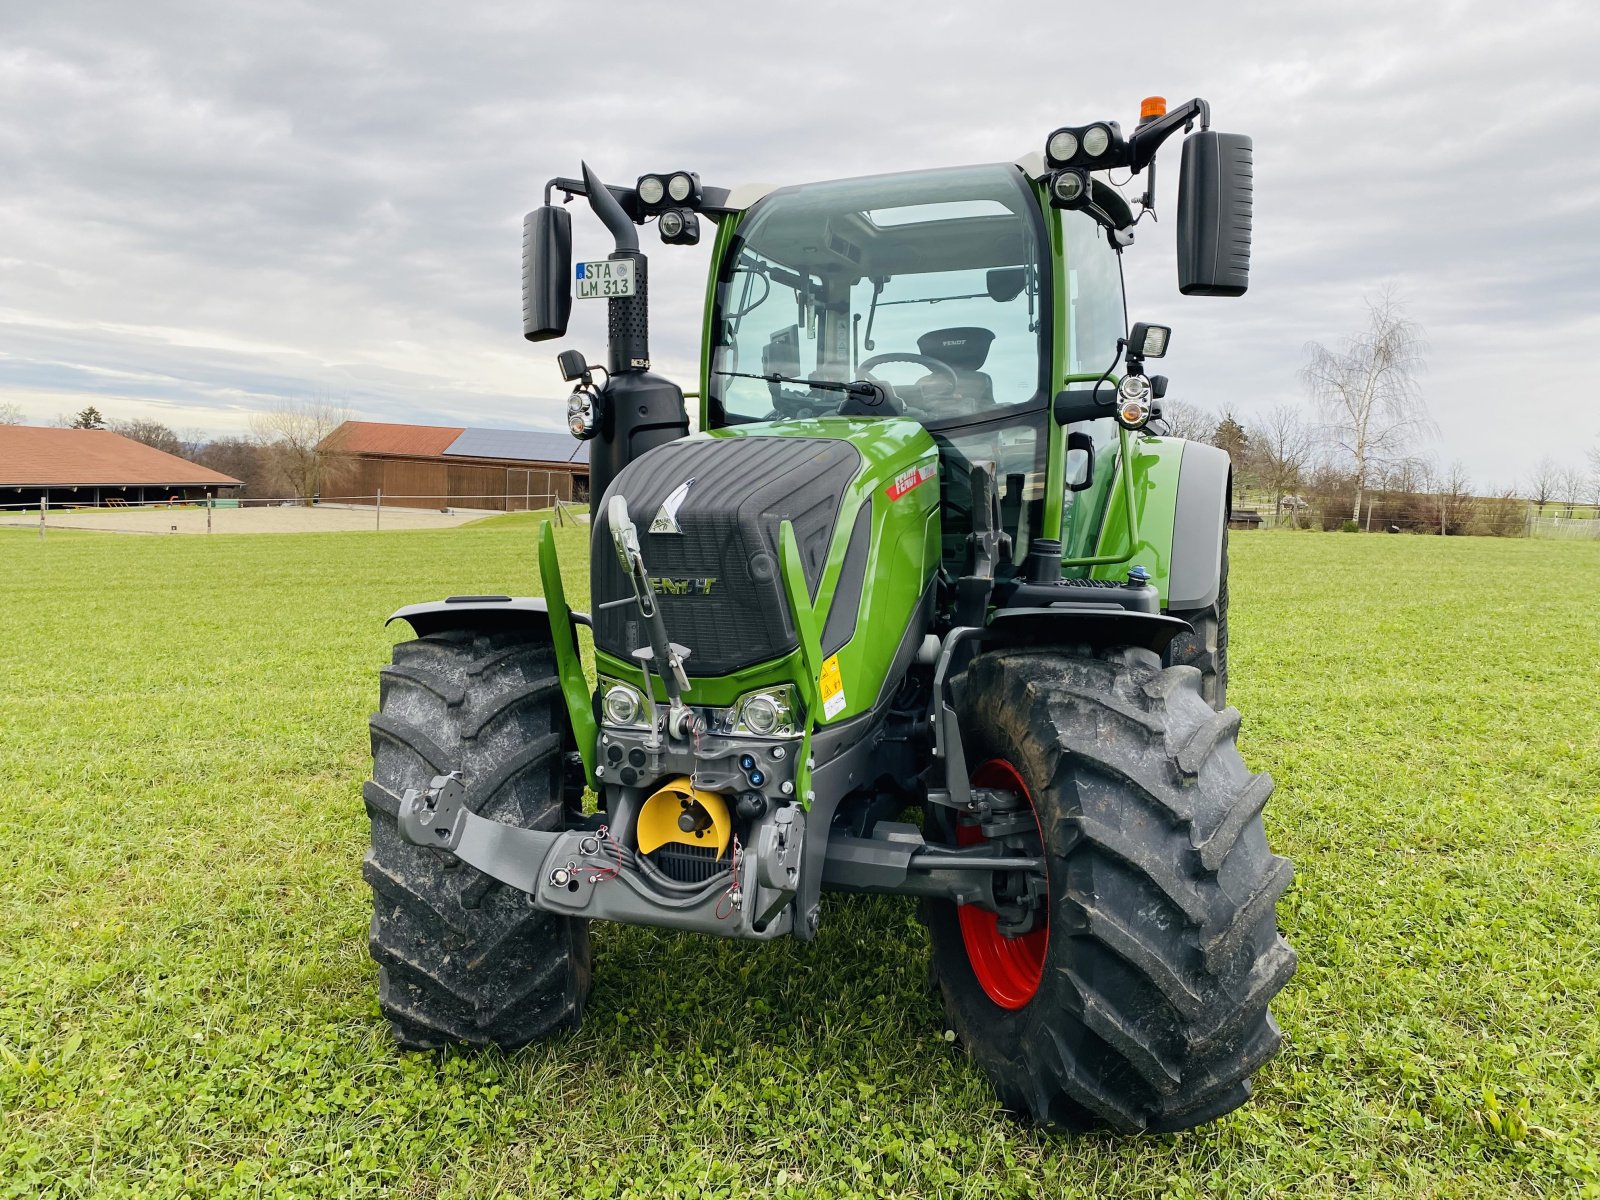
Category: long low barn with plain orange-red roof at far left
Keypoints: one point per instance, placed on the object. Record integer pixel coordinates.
(95, 466)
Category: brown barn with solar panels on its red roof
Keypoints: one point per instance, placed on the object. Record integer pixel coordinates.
(452, 466)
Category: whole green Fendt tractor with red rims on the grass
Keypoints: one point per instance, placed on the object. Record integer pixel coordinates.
(924, 609)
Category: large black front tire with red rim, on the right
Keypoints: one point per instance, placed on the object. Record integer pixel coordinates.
(1162, 953)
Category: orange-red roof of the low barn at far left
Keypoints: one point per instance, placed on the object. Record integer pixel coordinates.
(95, 458)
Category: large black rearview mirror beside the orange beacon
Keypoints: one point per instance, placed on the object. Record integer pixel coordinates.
(1215, 198)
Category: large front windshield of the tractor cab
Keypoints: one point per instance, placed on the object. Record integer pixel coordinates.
(932, 282)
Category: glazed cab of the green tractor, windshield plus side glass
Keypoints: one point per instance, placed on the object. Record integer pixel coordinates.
(937, 289)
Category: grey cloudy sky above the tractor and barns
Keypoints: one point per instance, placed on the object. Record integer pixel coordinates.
(206, 207)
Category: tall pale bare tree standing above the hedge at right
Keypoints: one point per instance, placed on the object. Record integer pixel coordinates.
(1367, 390)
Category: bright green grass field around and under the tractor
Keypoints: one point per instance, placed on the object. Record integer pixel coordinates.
(186, 1002)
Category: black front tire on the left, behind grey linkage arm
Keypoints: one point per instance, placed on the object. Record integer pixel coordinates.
(462, 958)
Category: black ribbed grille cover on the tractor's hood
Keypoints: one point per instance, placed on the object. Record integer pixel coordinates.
(718, 582)
